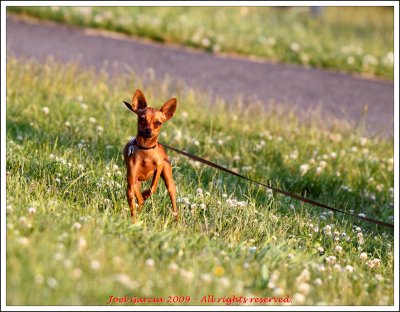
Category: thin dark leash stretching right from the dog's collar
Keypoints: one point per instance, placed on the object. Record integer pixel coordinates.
(301, 198)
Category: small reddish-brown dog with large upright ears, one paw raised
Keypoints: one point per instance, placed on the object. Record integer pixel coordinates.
(144, 156)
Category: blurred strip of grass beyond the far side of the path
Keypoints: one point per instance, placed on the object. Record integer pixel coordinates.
(351, 39)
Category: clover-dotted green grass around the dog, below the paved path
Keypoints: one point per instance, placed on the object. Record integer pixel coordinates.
(70, 240)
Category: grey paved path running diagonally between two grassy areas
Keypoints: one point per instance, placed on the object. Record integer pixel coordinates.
(338, 95)
